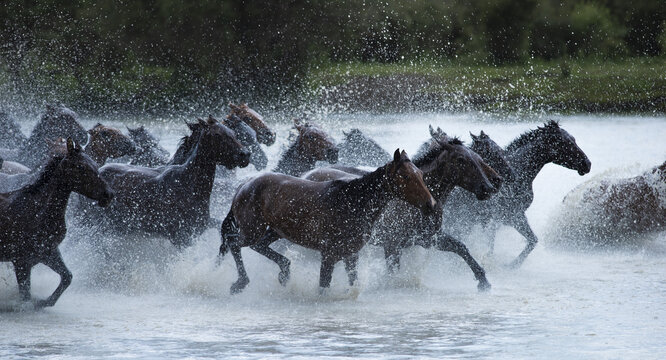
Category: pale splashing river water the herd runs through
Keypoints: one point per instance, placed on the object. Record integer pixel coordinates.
(152, 301)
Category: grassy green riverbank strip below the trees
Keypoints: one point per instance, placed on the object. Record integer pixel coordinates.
(635, 85)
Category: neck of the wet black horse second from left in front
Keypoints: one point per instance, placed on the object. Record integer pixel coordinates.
(199, 169)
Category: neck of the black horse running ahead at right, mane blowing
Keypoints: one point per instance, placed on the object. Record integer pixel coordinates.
(528, 160)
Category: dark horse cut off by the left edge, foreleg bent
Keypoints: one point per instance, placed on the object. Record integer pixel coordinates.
(32, 219)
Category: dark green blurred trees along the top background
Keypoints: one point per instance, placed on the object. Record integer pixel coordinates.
(143, 54)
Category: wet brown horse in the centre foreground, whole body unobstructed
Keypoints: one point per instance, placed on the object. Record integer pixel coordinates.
(334, 217)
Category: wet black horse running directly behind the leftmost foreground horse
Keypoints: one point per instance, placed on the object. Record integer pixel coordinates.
(172, 201)
